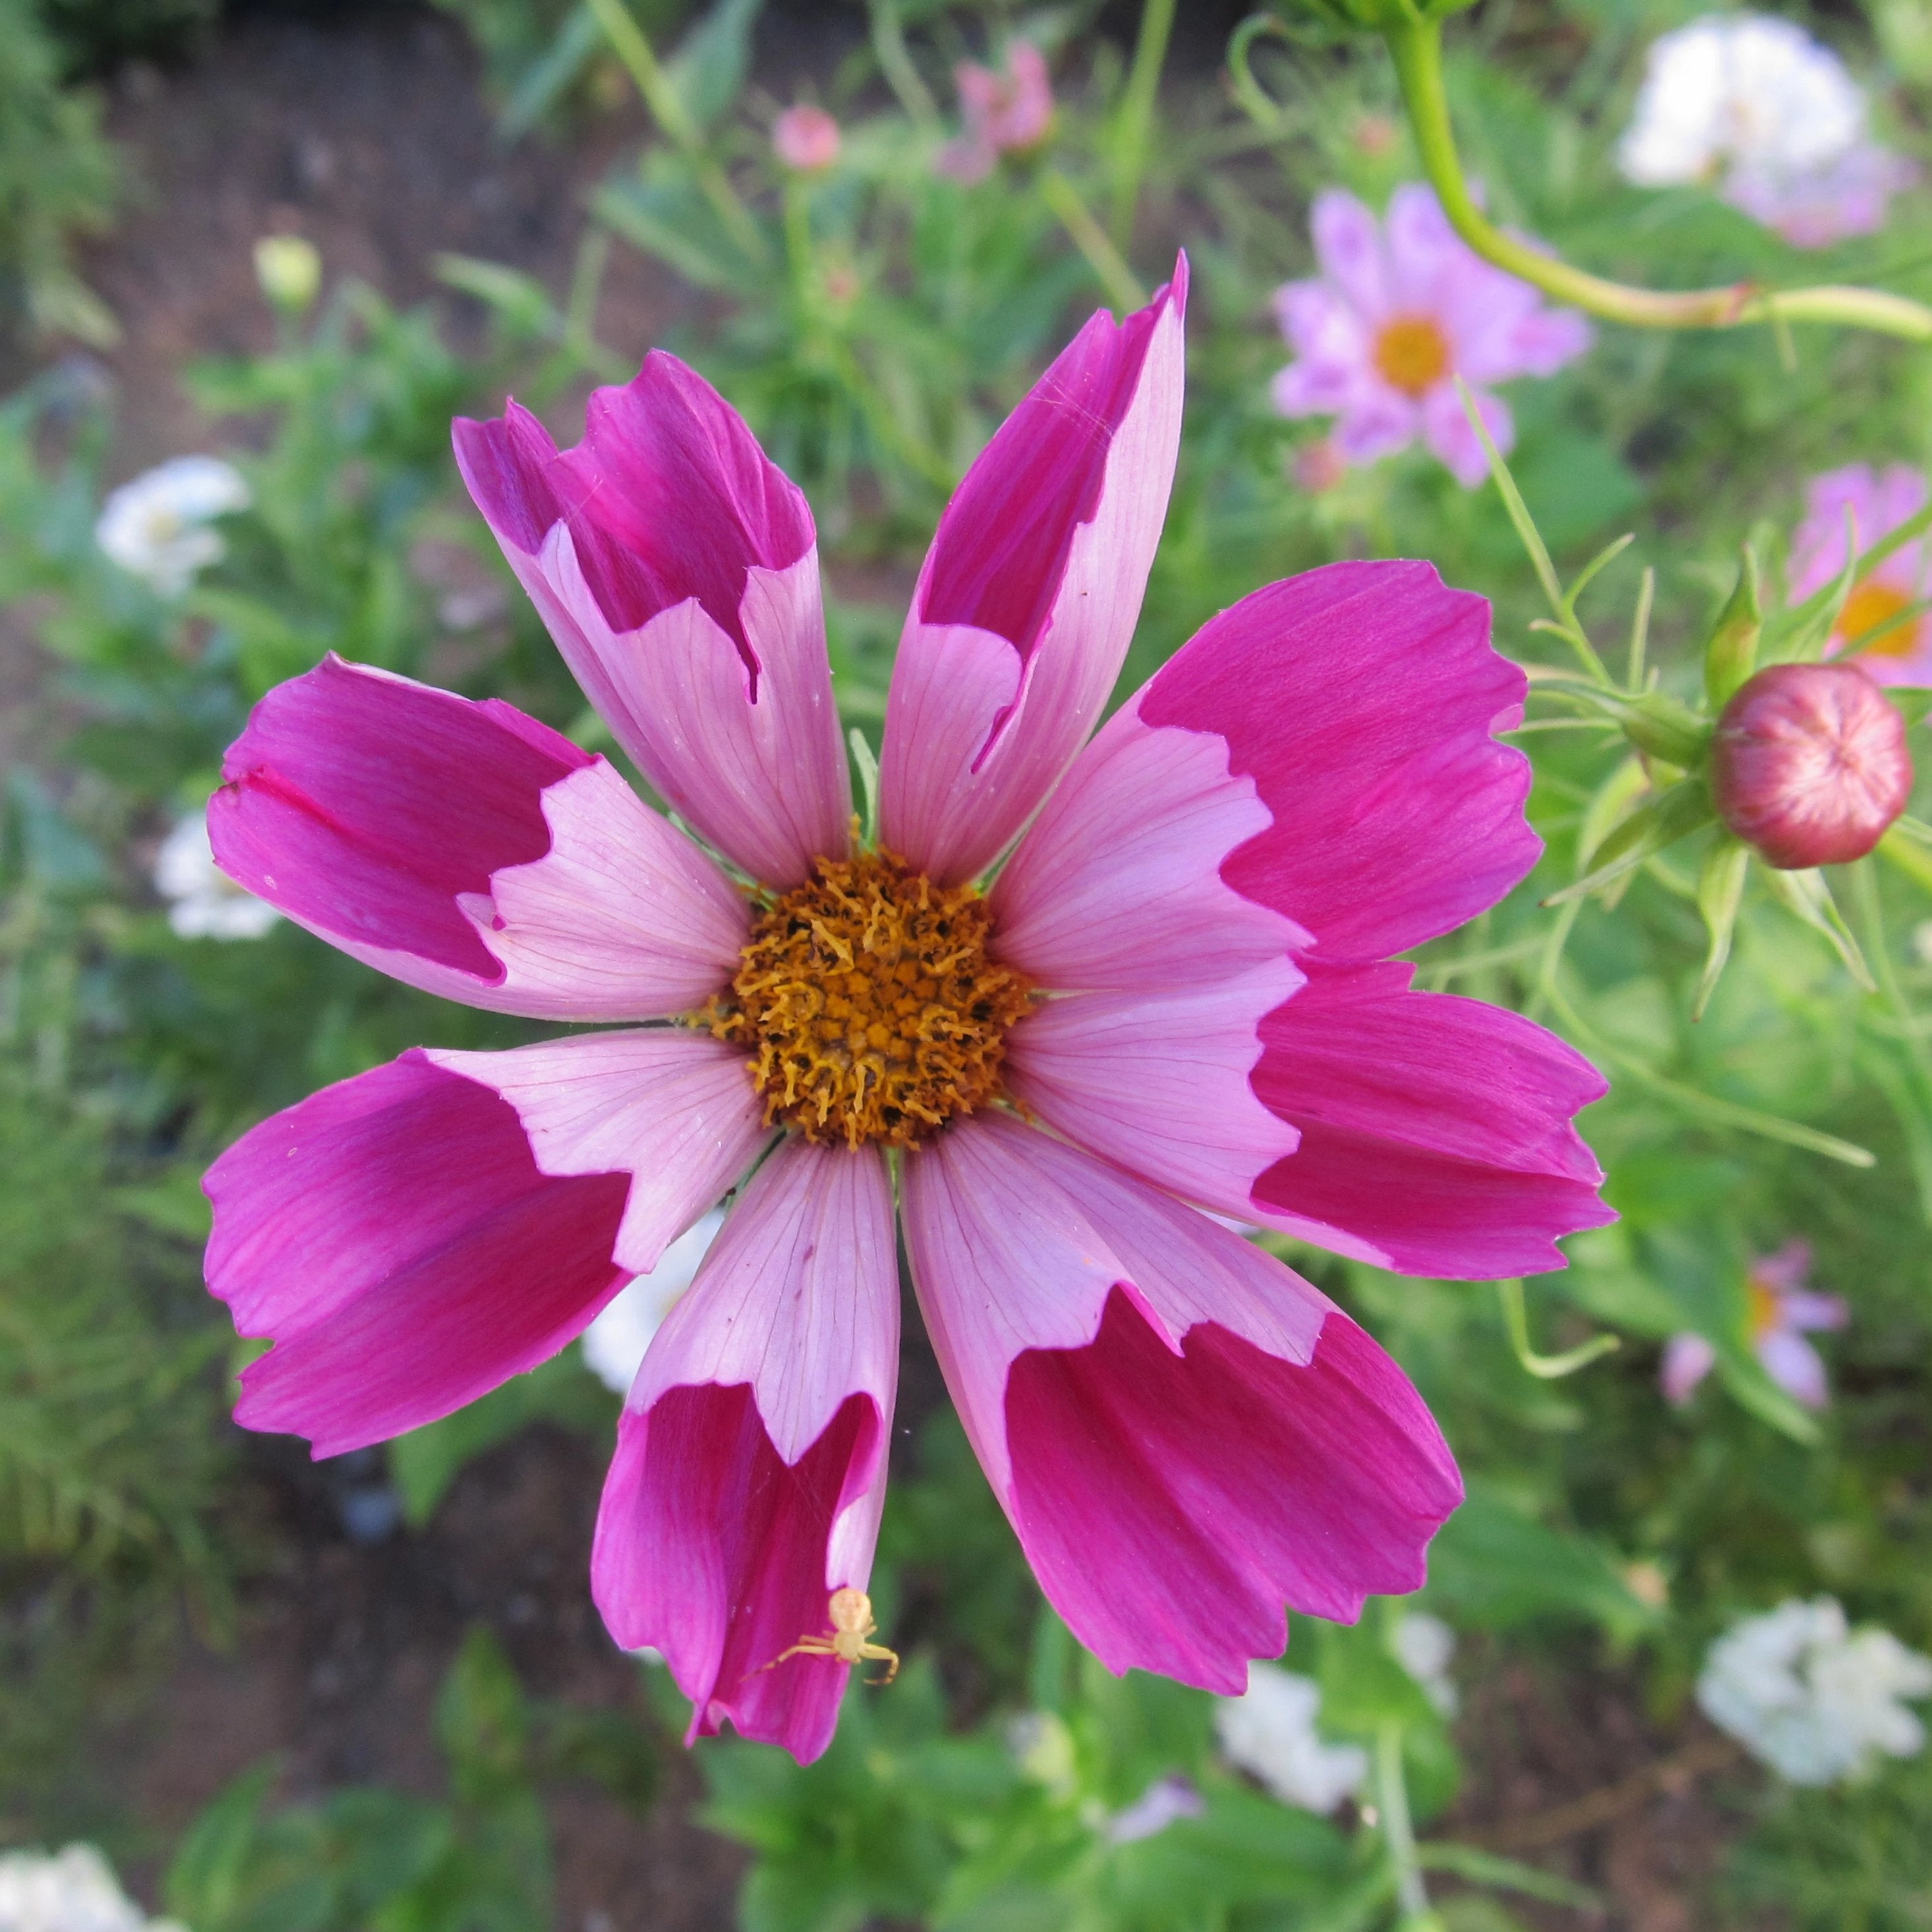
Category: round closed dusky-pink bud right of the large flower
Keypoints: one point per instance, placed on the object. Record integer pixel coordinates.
(1809, 764)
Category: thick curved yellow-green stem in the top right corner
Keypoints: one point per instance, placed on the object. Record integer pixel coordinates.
(1419, 67)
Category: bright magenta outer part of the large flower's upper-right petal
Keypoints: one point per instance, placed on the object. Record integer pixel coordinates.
(1361, 698)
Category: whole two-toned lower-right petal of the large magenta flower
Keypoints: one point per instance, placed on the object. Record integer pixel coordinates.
(1183, 1433)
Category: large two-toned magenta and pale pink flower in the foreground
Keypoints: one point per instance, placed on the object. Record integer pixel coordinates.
(1178, 996)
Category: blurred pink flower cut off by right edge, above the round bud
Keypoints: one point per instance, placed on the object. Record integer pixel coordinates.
(1879, 501)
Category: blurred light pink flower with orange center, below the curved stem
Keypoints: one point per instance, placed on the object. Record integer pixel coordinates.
(1396, 316)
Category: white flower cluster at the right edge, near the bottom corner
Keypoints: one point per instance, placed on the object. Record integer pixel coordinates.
(1813, 1699)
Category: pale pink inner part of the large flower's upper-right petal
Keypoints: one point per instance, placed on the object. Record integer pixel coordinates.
(1118, 884)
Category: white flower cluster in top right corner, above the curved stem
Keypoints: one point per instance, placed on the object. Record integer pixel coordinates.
(1771, 119)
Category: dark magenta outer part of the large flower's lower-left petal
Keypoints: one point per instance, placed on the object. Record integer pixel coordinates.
(403, 1249)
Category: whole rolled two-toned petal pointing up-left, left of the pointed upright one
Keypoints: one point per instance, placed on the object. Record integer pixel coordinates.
(679, 575)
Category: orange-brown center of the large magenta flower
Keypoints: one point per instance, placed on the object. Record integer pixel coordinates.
(870, 1004)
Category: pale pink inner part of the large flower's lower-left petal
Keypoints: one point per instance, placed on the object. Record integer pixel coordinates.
(671, 1110)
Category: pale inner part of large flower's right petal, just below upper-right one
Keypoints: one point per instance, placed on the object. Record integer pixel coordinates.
(1160, 1083)
